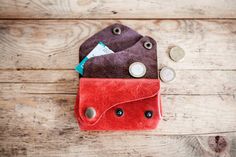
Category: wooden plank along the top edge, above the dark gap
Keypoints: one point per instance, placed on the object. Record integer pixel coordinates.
(89, 9)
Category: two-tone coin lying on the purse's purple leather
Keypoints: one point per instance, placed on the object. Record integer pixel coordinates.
(137, 69)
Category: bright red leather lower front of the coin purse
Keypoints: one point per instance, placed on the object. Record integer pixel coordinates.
(134, 96)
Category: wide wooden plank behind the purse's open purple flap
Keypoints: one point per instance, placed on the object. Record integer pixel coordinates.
(55, 44)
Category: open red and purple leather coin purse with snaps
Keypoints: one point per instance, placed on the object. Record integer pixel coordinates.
(113, 94)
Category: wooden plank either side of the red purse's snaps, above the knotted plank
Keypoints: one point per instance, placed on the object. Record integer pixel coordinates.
(50, 114)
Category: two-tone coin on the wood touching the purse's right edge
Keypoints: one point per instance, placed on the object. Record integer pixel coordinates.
(167, 74)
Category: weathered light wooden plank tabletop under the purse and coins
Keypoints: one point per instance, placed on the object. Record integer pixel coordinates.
(39, 43)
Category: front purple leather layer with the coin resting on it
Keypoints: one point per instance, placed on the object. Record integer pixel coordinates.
(116, 65)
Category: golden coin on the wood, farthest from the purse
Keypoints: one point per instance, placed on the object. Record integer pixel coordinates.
(177, 54)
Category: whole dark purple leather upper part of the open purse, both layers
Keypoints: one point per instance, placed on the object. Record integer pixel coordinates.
(128, 47)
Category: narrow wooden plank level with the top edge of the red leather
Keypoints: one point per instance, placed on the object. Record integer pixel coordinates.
(65, 81)
